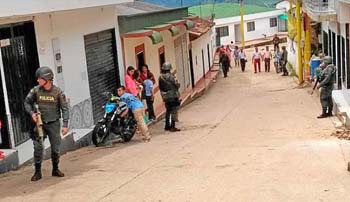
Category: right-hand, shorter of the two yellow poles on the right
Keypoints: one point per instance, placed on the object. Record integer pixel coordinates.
(307, 47)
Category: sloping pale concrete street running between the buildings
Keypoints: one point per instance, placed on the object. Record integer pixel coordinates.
(251, 138)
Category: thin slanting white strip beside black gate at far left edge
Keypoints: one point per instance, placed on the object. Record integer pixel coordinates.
(7, 106)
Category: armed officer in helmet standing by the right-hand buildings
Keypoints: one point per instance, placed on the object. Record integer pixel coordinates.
(327, 78)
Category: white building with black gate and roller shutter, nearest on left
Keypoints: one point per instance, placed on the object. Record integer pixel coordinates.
(78, 39)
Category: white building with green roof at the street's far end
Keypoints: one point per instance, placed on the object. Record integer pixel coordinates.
(259, 22)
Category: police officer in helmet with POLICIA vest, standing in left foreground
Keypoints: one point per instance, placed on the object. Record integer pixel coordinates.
(52, 103)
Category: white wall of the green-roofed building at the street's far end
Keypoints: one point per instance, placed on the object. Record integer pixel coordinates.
(262, 26)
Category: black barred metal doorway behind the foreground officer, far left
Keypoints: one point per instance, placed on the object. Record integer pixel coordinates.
(20, 61)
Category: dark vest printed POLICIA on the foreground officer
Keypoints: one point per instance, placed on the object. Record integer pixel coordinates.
(49, 104)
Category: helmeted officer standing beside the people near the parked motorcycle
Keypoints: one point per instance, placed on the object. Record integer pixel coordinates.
(169, 88)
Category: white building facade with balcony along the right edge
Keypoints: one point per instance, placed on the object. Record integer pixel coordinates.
(334, 19)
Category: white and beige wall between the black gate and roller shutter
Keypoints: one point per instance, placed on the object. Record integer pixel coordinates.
(70, 27)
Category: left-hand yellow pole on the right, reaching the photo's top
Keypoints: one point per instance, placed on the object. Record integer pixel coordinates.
(300, 67)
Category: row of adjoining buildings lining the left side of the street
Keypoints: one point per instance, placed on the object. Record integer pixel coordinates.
(88, 45)
